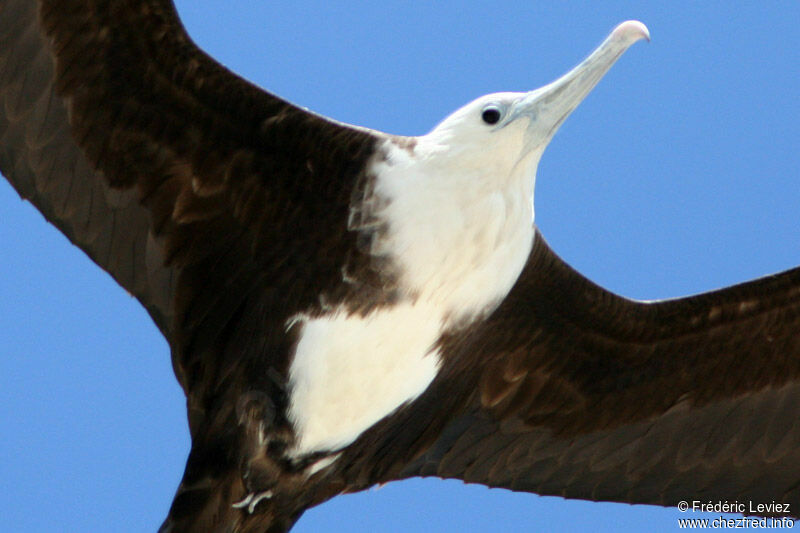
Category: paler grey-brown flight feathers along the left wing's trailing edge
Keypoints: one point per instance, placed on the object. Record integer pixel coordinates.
(44, 164)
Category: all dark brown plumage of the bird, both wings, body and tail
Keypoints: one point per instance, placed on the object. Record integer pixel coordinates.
(224, 209)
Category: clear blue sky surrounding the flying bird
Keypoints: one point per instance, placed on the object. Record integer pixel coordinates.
(680, 173)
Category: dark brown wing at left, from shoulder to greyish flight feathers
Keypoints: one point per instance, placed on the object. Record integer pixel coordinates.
(190, 186)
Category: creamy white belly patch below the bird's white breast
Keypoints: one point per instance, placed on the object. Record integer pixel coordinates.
(349, 372)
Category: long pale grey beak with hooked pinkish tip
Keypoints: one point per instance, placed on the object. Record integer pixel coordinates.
(548, 106)
